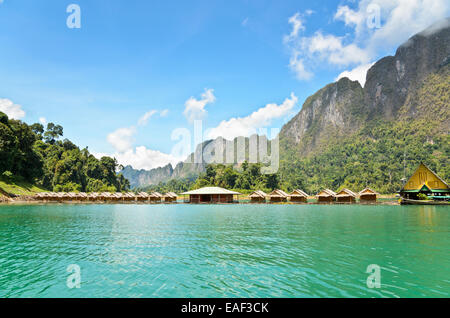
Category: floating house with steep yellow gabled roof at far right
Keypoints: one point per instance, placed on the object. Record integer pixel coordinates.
(427, 182)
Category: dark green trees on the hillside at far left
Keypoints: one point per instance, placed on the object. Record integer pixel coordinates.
(40, 157)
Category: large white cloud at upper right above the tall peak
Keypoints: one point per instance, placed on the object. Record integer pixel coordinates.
(372, 35)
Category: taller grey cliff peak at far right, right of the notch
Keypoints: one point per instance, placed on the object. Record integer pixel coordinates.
(393, 78)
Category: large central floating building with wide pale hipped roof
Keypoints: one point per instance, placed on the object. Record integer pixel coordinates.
(211, 195)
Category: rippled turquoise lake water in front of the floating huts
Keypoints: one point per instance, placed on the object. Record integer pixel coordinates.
(224, 250)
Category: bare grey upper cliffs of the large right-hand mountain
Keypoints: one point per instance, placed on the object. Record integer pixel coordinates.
(343, 107)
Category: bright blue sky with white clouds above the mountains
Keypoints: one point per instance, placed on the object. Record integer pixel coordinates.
(226, 59)
